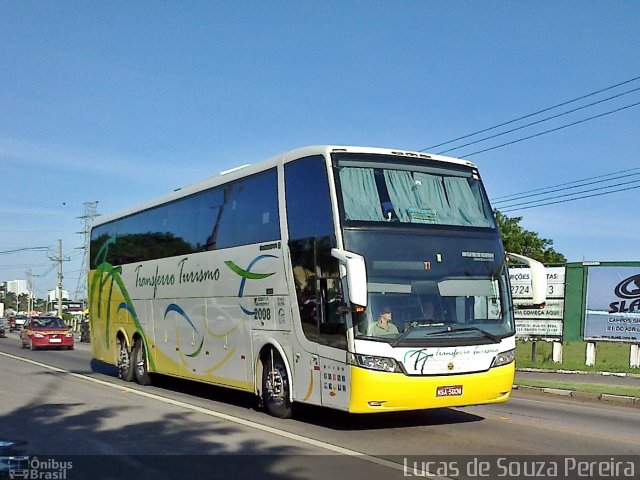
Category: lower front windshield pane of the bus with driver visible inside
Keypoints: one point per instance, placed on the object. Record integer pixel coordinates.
(432, 288)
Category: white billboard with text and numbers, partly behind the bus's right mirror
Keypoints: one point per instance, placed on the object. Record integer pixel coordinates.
(538, 322)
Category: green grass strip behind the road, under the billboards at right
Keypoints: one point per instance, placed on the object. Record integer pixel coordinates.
(610, 357)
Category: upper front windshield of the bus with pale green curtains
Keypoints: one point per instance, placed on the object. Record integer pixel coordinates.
(377, 188)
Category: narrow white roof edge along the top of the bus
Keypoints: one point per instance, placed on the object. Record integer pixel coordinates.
(250, 169)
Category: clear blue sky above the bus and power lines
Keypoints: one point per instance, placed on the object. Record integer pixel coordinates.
(121, 102)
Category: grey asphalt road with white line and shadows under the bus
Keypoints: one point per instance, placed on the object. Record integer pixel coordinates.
(198, 431)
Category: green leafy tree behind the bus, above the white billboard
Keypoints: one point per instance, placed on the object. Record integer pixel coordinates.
(516, 239)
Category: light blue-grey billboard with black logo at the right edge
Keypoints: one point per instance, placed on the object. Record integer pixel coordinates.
(613, 304)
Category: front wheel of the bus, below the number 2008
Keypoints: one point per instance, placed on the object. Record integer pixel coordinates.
(275, 386)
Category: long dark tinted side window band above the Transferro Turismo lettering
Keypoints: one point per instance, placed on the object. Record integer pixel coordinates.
(239, 213)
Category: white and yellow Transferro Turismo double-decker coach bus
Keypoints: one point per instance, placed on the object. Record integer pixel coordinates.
(361, 279)
